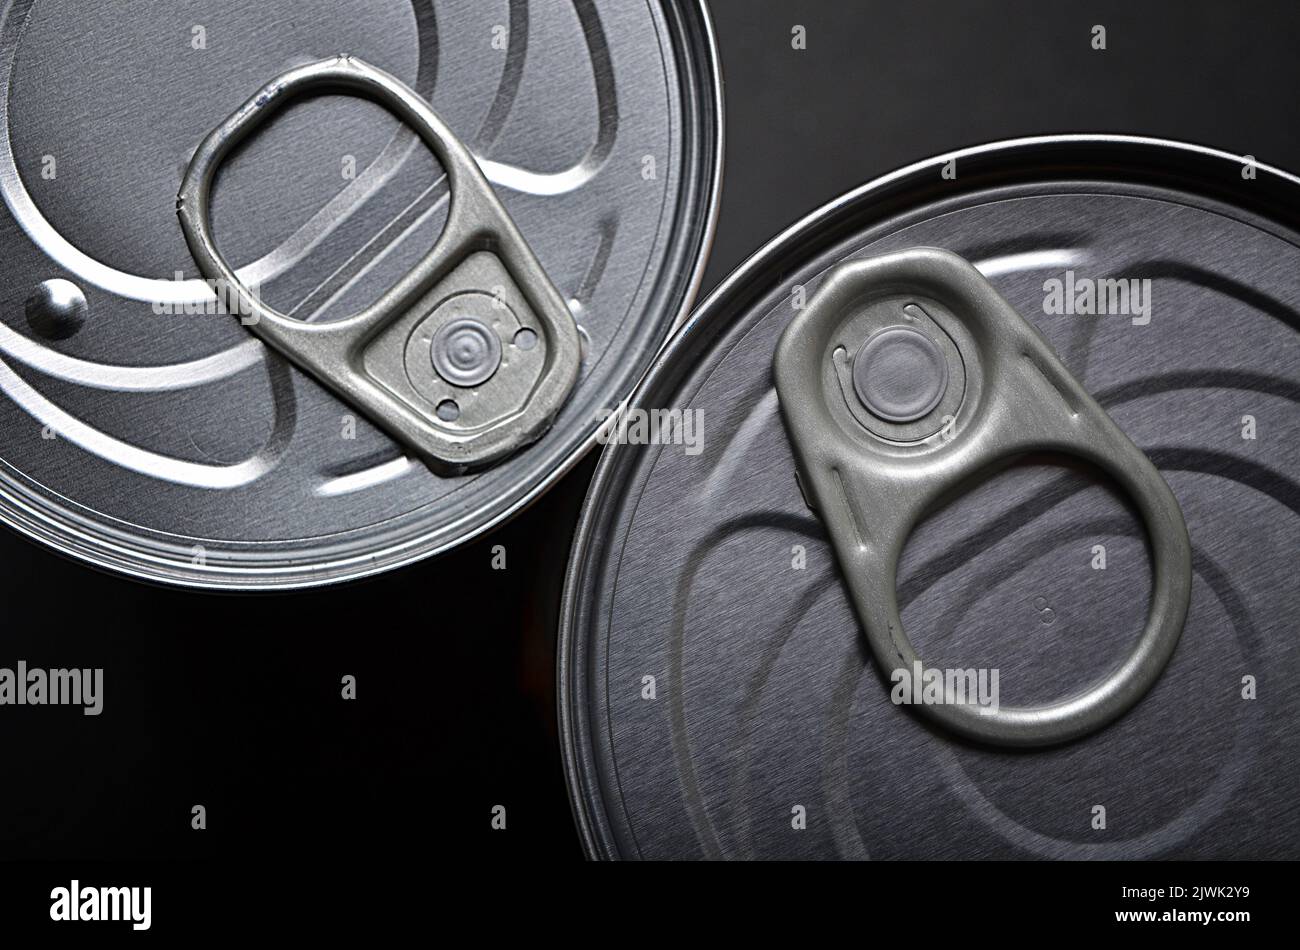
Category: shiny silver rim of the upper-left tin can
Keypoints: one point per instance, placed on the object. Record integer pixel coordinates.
(68, 536)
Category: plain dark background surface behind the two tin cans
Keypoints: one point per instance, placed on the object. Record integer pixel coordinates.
(233, 702)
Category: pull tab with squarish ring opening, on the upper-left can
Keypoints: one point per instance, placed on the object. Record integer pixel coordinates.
(469, 357)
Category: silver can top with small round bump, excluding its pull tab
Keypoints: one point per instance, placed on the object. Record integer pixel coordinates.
(150, 433)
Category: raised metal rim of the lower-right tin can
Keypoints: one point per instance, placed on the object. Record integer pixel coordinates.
(1110, 153)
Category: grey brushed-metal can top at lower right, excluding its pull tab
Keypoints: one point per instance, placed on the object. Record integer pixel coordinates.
(718, 697)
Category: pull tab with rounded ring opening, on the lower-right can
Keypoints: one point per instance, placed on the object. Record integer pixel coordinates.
(904, 378)
